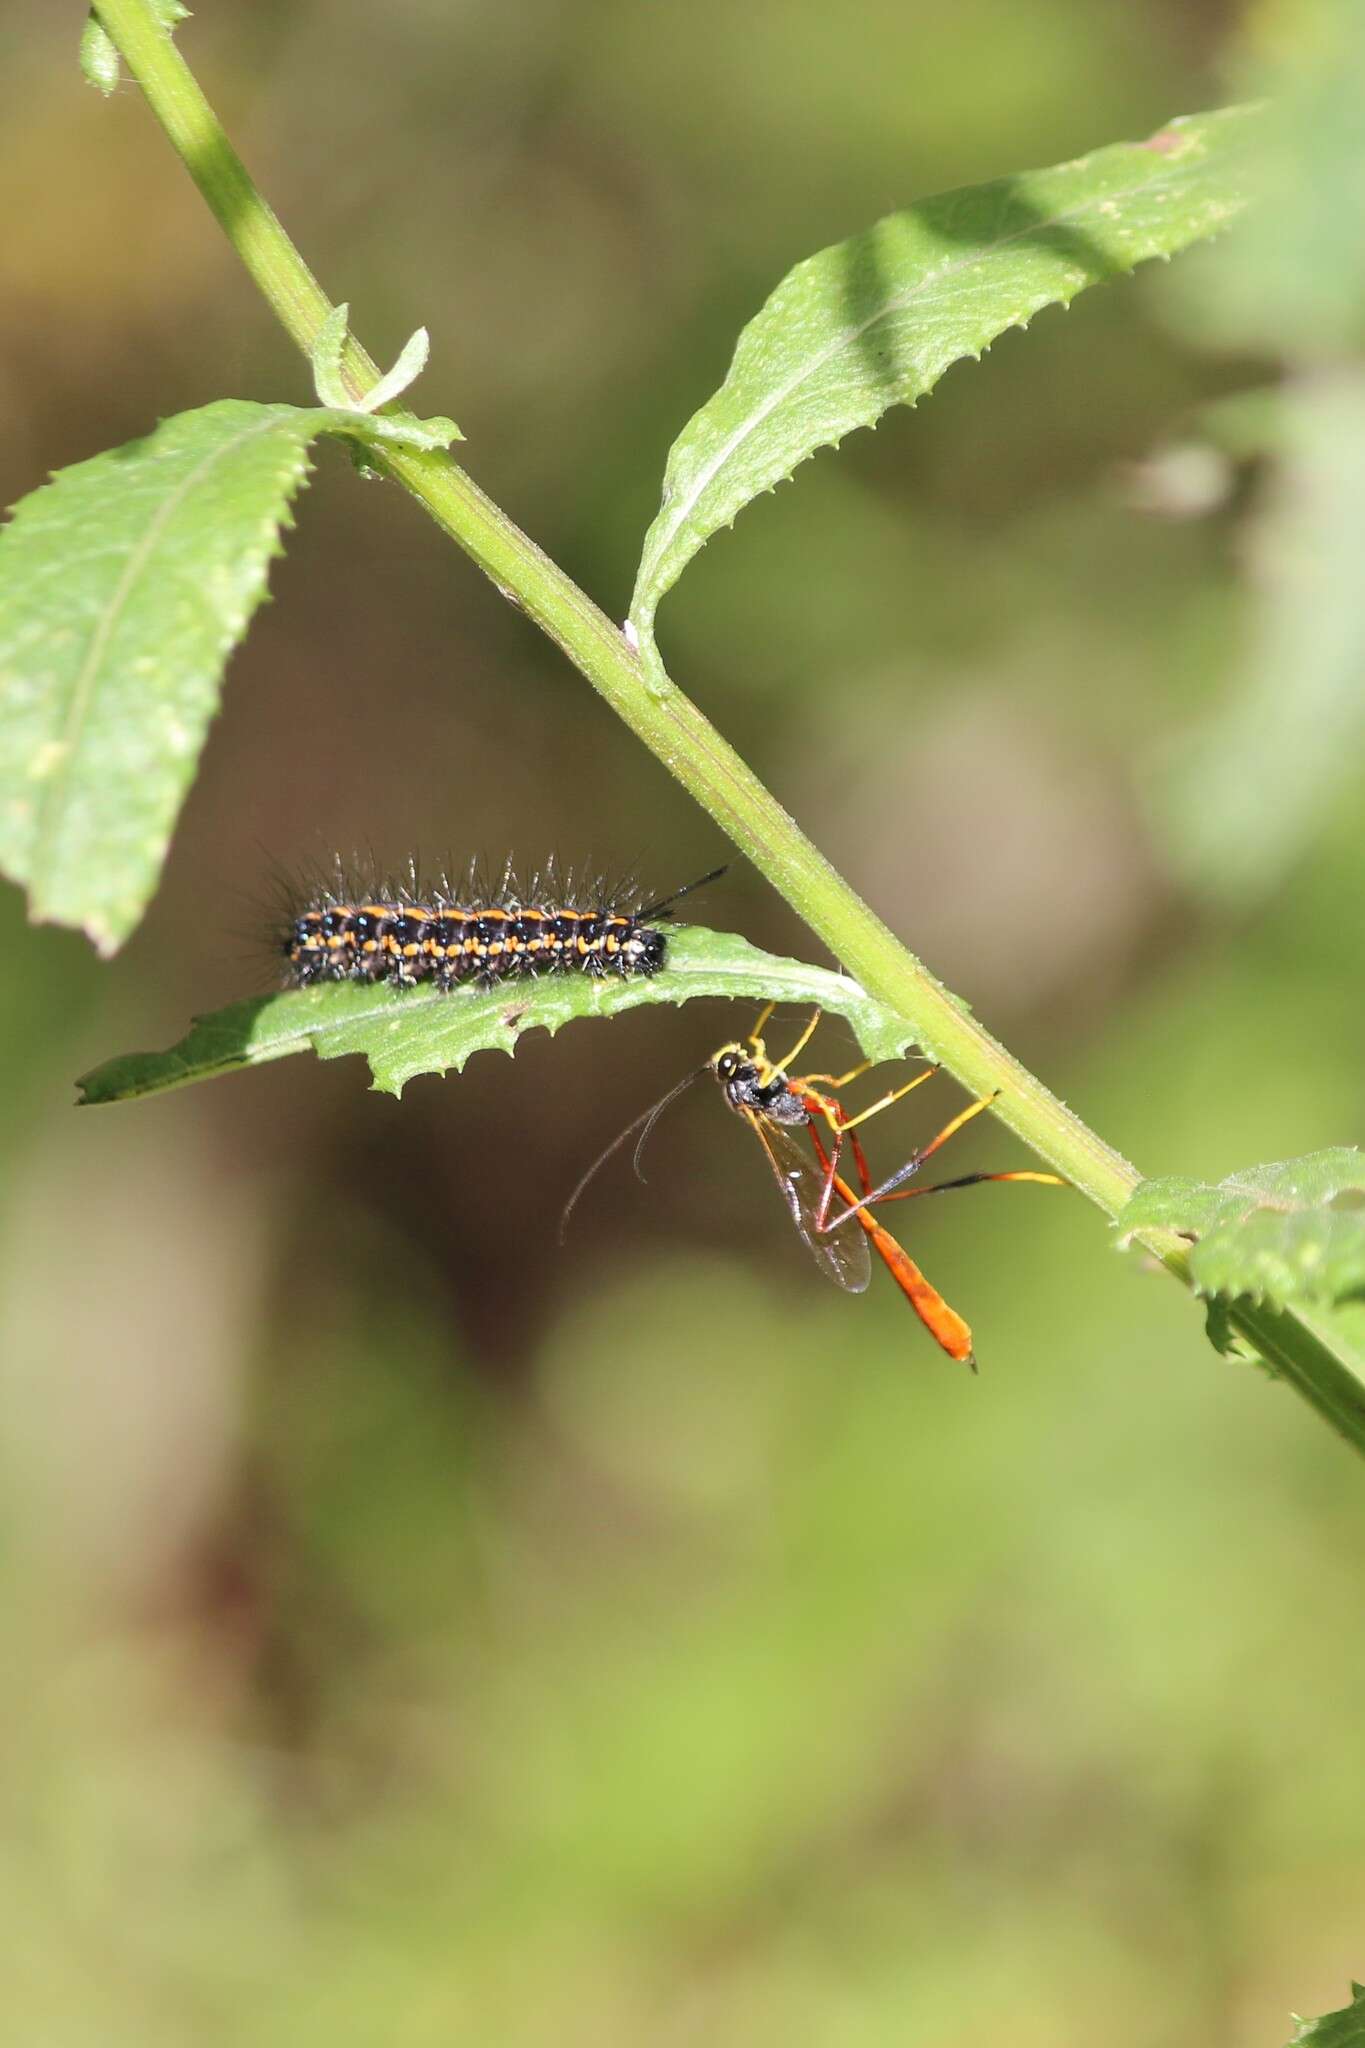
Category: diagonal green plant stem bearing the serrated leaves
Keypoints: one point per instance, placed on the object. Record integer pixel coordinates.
(672, 726)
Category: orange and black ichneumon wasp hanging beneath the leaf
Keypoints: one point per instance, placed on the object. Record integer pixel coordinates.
(777, 1105)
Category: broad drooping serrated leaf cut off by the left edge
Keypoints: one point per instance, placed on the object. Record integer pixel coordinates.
(126, 583)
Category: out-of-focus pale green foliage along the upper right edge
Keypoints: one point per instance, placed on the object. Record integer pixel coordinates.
(1292, 284)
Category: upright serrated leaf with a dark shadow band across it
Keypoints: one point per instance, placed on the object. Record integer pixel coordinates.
(877, 321)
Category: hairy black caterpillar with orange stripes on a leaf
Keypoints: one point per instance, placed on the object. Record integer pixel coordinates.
(474, 937)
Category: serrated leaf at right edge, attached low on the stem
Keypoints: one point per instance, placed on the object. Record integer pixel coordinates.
(1290, 1234)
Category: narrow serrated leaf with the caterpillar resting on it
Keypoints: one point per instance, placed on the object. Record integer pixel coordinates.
(406, 1033)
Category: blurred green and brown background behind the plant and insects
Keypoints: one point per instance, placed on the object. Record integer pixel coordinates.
(423, 1635)
